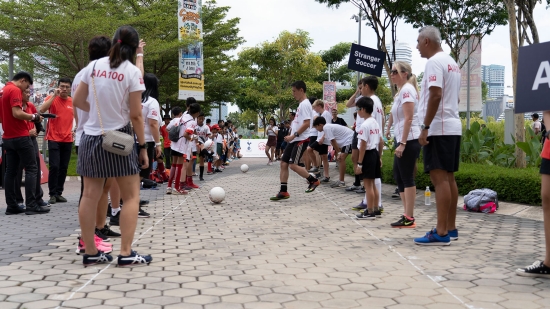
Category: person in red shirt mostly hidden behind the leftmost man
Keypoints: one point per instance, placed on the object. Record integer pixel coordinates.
(34, 130)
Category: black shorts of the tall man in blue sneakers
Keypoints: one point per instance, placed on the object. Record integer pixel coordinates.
(442, 153)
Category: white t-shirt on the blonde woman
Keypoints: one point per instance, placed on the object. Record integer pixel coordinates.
(408, 95)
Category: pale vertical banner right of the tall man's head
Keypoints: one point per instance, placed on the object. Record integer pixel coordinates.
(476, 103)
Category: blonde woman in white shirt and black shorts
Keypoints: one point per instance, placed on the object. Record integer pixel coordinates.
(407, 130)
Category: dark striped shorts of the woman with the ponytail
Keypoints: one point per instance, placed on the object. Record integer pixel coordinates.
(95, 162)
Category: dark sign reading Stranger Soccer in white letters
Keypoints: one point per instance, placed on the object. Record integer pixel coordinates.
(366, 60)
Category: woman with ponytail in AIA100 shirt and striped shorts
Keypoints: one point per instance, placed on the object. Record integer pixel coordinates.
(110, 90)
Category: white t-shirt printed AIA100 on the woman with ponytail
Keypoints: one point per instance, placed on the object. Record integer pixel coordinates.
(113, 87)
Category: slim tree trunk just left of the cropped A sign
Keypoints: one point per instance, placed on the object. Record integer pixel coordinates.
(514, 44)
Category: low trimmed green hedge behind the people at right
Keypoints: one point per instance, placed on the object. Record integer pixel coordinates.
(512, 185)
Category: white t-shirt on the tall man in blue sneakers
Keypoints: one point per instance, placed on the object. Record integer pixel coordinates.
(443, 72)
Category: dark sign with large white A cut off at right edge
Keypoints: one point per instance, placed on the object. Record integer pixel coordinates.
(533, 80)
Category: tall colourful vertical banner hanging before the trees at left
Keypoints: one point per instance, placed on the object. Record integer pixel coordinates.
(191, 64)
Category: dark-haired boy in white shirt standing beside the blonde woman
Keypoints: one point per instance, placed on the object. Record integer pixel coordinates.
(370, 149)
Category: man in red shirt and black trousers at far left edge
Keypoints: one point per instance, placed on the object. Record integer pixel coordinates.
(18, 145)
